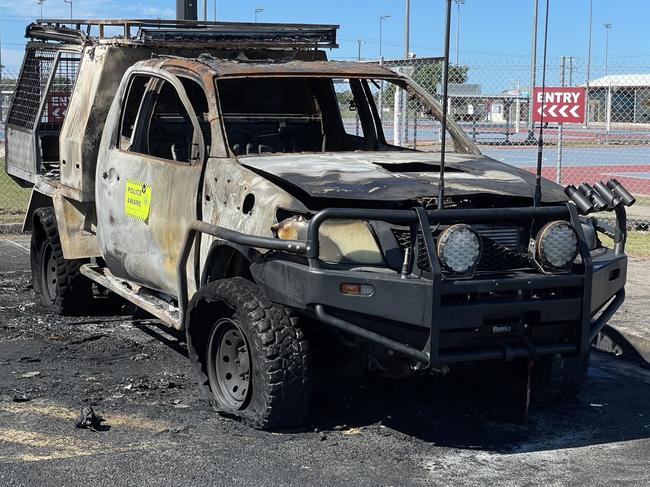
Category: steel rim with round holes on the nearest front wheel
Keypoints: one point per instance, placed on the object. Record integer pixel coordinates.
(229, 367)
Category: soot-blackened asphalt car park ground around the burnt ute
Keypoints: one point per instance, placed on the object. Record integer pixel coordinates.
(458, 430)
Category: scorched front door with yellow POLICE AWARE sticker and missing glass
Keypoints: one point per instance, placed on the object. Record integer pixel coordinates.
(148, 184)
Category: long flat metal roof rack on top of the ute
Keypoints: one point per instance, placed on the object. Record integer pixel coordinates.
(183, 33)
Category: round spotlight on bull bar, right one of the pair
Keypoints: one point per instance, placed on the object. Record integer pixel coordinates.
(557, 246)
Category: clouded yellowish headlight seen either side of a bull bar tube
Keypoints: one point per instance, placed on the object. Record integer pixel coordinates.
(341, 241)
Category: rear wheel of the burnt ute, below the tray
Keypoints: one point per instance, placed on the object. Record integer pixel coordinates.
(57, 281)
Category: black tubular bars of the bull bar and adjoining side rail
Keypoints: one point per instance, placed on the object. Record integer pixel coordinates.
(430, 355)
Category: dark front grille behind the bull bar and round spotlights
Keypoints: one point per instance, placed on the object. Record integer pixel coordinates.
(504, 248)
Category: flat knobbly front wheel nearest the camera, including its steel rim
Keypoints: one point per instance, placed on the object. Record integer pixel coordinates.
(249, 356)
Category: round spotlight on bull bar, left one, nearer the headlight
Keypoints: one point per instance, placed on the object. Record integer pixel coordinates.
(459, 249)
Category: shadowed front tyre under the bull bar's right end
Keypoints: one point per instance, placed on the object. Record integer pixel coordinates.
(556, 377)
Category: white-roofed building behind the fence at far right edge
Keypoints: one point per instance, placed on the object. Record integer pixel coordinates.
(626, 95)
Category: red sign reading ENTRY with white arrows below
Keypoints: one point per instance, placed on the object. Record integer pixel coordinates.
(558, 104)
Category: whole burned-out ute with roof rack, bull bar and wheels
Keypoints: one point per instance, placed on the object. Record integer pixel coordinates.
(231, 181)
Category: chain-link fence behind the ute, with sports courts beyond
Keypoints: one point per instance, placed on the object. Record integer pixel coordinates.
(491, 103)
